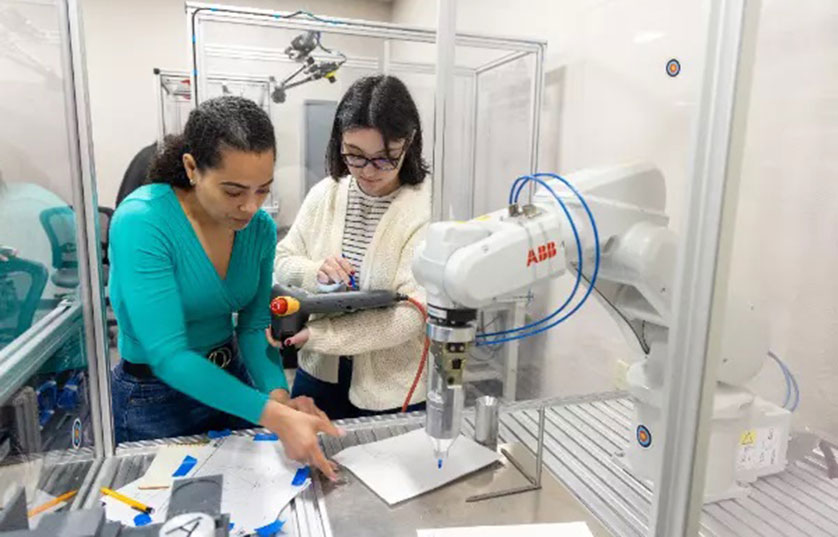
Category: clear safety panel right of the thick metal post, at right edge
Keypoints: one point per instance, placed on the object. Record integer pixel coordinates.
(777, 328)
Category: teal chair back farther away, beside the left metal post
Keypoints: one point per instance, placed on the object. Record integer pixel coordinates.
(59, 223)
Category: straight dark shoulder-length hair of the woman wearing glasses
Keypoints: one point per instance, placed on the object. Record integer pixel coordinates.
(380, 102)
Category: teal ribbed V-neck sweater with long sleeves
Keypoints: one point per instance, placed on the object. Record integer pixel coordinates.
(172, 307)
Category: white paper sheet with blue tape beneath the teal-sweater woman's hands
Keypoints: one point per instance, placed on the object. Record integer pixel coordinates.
(257, 481)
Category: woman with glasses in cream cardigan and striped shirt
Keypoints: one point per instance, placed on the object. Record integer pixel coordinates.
(360, 226)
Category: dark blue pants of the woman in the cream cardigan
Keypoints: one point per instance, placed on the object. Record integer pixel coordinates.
(333, 399)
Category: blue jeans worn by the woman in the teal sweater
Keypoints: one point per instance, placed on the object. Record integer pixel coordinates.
(147, 408)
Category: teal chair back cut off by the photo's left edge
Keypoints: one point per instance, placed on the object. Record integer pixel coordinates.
(22, 283)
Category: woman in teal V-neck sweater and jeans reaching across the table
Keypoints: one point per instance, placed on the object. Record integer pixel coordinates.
(188, 252)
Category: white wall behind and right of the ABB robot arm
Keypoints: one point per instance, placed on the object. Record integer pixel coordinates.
(609, 101)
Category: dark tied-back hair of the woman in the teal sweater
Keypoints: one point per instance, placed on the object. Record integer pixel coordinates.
(229, 121)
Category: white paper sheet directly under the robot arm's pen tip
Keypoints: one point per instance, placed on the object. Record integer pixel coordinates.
(402, 467)
